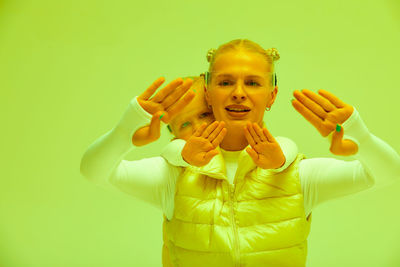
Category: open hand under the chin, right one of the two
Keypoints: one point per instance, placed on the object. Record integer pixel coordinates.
(265, 150)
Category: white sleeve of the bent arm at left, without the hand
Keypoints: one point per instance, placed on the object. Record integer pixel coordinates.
(147, 179)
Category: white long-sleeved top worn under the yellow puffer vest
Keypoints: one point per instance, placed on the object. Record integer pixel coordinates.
(153, 179)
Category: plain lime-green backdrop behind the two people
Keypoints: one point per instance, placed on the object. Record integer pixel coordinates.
(68, 70)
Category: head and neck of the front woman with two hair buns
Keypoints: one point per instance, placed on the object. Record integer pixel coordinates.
(240, 87)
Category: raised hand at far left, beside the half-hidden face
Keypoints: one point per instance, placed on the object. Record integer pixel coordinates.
(167, 103)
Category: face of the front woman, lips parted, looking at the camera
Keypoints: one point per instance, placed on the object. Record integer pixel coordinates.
(240, 88)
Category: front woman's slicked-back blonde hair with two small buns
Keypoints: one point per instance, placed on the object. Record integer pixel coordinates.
(270, 54)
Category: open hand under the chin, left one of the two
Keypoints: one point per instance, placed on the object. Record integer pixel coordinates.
(200, 148)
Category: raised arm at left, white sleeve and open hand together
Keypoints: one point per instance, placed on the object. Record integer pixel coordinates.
(103, 161)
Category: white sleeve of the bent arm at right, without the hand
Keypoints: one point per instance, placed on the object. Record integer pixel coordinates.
(376, 165)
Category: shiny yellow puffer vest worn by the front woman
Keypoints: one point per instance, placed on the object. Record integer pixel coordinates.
(257, 221)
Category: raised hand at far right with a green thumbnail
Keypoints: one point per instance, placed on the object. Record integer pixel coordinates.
(326, 113)
